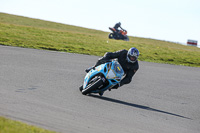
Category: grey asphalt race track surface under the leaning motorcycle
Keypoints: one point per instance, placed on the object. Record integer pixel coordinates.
(41, 88)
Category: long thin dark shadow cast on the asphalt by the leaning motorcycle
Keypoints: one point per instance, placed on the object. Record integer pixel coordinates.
(135, 105)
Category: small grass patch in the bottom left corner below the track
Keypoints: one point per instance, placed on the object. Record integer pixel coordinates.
(11, 126)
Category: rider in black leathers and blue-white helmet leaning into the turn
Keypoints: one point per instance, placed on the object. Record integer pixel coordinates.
(128, 61)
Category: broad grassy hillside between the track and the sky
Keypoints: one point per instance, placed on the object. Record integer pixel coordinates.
(39, 34)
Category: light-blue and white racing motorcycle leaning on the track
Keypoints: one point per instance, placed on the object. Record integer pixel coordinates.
(102, 78)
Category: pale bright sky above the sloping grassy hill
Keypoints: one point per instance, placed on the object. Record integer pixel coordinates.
(170, 20)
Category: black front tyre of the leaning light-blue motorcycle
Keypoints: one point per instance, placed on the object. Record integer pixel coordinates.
(92, 86)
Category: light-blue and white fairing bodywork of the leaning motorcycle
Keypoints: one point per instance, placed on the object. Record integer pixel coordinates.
(111, 73)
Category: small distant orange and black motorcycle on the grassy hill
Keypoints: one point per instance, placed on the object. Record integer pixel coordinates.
(121, 35)
